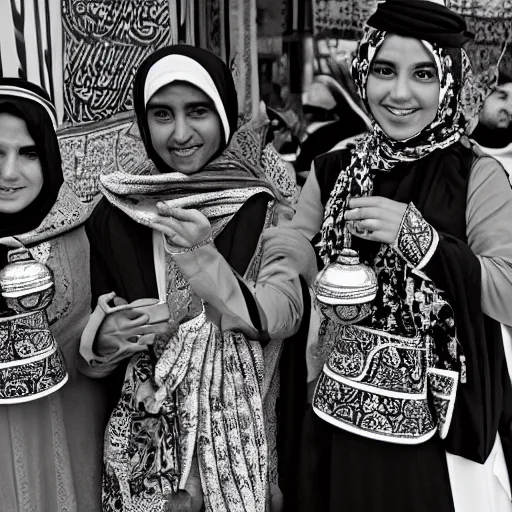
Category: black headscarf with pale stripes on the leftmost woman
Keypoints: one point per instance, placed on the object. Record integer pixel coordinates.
(32, 104)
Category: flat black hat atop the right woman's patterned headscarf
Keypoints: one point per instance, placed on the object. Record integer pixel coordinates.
(421, 19)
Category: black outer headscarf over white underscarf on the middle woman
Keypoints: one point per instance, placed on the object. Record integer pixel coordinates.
(218, 71)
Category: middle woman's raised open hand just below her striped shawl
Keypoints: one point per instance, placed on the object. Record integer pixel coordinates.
(183, 228)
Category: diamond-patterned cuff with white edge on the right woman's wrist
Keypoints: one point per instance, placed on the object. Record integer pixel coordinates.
(416, 240)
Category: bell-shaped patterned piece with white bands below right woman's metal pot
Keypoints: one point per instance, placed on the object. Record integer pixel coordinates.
(382, 382)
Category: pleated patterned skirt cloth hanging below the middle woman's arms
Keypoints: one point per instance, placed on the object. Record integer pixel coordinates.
(197, 392)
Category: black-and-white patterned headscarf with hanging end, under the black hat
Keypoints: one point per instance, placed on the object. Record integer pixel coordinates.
(376, 151)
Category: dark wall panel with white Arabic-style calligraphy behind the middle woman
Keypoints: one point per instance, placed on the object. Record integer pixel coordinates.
(104, 42)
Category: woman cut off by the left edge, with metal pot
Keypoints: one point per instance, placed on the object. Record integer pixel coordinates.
(52, 418)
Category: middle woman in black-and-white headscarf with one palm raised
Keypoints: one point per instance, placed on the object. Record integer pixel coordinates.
(176, 258)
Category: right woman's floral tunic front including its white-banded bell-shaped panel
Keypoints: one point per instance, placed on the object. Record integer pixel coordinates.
(375, 381)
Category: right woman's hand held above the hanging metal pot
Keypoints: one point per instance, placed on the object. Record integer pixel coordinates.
(375, 218)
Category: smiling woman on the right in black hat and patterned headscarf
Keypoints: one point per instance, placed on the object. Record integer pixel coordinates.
(420, 370)
